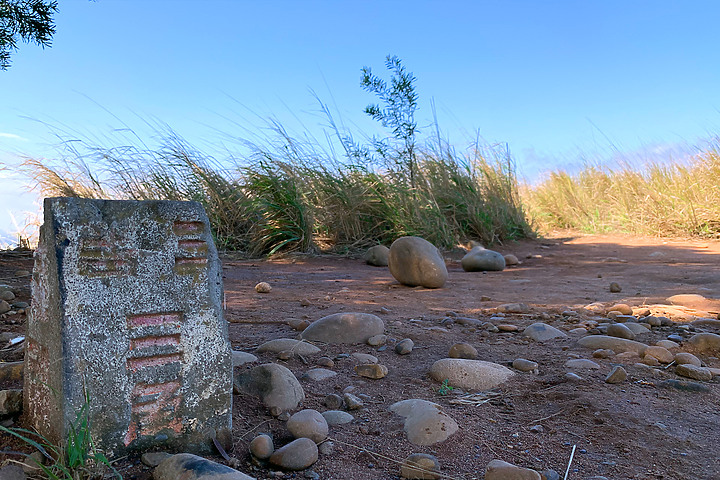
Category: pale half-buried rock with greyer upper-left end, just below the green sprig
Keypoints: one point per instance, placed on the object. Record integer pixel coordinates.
(425, 422)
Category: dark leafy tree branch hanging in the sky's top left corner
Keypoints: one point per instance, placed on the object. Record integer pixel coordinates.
(26, 20)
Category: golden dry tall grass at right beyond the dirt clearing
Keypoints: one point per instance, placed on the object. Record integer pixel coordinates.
(677, 199)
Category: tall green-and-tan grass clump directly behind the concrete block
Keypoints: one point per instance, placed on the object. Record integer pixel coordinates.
(285, 193)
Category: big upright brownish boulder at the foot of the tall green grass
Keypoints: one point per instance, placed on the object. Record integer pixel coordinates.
(414, 261)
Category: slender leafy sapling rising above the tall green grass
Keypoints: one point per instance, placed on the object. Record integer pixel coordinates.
(399, 103)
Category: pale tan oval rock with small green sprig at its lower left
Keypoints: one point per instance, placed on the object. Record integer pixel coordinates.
(470, 374)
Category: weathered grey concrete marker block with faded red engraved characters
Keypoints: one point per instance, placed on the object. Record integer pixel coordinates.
(127, 312)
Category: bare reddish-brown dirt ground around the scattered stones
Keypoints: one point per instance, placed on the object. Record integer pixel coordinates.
(631, 430)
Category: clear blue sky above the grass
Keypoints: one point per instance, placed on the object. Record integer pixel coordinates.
(557, 80)
